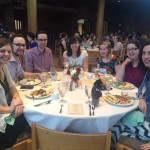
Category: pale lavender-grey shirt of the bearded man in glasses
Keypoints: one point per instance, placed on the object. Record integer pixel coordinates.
(15, 69)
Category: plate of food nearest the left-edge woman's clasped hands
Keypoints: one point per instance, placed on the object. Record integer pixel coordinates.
(40, 93)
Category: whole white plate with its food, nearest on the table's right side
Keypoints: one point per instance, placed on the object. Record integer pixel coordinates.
(119, 100)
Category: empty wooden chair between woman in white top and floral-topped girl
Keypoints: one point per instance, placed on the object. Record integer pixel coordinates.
(92, 55)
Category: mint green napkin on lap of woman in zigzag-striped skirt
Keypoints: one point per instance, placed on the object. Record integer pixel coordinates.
(133, 118)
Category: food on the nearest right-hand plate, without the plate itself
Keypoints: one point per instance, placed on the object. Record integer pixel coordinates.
(118, 99)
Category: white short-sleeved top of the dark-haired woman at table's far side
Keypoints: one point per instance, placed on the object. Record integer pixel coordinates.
(78, 60)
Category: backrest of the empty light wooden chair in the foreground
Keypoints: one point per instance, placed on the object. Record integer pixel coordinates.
(43, 138)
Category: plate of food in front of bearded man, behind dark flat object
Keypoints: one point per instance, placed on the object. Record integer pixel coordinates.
(29, 82)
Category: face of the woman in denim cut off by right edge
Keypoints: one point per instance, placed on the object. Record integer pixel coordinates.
(146, 56)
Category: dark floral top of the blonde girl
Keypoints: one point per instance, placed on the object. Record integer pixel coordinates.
(109, 66)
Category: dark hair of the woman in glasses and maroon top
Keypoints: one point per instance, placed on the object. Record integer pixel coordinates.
(141, 65)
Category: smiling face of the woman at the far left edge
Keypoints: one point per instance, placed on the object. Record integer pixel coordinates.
(5, 54)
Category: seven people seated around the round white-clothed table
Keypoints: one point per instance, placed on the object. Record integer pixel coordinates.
(134, 69)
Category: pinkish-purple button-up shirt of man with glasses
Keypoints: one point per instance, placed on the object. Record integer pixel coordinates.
(36, 61)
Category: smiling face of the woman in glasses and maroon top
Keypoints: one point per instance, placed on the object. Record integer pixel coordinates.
(133, 52)
